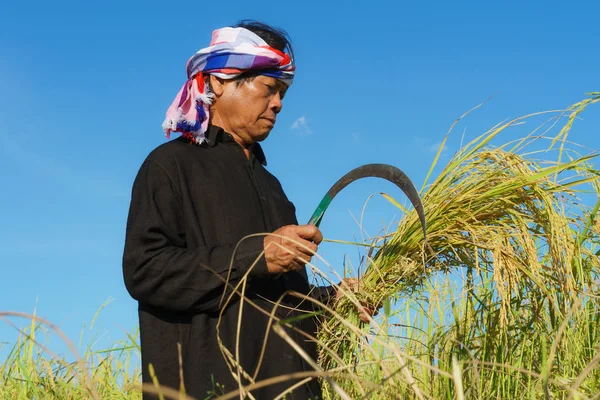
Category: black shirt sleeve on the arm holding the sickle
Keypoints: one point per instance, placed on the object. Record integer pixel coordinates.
(160, 270)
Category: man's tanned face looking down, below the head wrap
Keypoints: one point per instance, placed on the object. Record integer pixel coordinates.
(249, 108)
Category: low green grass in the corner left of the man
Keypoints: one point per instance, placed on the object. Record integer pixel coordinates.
(32, 371)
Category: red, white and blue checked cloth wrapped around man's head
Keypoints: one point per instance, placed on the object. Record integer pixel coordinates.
(232, 52)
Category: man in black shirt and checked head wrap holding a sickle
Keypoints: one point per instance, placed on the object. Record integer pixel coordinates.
(196, 202)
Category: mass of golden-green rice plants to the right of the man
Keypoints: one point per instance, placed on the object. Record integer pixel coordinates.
(529, 251)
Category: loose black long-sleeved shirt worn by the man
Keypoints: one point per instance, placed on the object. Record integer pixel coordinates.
(191, 207)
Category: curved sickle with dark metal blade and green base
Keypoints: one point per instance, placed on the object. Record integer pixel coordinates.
(384, 171)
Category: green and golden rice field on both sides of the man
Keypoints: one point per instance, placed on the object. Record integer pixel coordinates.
(499, 302)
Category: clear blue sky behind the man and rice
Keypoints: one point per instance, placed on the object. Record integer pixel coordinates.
(84, 87)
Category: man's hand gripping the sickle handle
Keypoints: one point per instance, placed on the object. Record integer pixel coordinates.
(291, 247)
